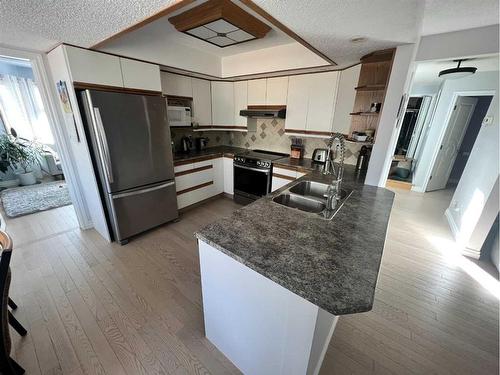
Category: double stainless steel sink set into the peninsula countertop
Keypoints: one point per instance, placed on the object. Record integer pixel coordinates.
(312, 197)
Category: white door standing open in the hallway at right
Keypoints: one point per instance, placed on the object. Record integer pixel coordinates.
(455, 131)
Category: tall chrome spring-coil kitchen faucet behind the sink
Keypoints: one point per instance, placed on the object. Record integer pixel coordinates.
(334, 189)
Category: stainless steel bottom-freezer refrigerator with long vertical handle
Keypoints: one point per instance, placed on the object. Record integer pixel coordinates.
(129, 138)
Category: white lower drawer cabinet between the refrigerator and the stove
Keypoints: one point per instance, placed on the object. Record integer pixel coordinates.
(198, 181)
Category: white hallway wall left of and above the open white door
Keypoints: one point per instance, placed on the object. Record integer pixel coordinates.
(477, 82)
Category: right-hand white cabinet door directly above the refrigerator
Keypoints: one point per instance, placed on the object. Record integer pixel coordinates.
(140, 75)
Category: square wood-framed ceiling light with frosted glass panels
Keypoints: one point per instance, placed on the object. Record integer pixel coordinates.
(221, 23)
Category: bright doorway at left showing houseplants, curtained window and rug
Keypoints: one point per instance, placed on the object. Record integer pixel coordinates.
(31, 175)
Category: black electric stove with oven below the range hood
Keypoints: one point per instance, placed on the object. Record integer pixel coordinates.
(253, 174)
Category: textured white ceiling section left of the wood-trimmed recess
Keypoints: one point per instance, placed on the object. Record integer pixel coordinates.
(42, 24)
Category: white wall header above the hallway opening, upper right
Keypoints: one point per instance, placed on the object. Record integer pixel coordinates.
(471, 42)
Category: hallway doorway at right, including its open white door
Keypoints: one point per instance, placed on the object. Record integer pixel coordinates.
(461, 132)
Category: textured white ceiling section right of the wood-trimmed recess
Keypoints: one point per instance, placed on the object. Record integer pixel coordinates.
(329, 25)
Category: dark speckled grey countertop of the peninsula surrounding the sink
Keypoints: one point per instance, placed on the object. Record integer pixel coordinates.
(333, 264)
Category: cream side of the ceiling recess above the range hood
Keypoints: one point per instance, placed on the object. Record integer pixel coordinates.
(284, 57)
